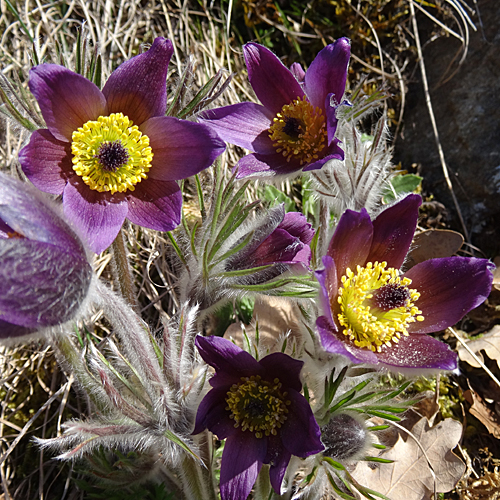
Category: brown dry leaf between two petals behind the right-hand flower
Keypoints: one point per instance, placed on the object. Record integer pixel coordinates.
(433, 244)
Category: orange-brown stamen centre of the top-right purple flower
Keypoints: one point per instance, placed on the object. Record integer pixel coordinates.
(299, 131)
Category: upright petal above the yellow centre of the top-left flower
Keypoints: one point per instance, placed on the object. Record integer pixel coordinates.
(137, 88)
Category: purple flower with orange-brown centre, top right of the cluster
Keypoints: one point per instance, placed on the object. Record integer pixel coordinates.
(295, 126)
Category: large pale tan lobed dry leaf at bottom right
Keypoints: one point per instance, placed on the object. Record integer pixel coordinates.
(410, 477)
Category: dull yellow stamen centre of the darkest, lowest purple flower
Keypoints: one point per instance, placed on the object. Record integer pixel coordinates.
(257, 405)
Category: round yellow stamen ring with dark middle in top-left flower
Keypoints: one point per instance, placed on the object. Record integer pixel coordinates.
(111, 154)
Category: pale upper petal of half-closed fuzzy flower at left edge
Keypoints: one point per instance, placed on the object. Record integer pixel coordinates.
(24, 210)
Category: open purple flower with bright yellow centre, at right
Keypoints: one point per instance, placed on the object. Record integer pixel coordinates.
(374, 314)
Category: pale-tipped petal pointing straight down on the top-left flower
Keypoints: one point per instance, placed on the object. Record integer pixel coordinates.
(98, 216)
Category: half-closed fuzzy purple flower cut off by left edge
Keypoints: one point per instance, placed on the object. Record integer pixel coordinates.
(44, 270)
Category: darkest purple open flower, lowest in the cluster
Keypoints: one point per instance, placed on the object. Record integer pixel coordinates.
(257, 408)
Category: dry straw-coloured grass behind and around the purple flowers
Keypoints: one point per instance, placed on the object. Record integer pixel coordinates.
(36, 396)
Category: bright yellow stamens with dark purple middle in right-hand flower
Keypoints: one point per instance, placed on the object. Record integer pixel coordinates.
(376, 306)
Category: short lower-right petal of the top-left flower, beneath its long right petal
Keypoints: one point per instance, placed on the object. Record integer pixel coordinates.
(155, 204)
